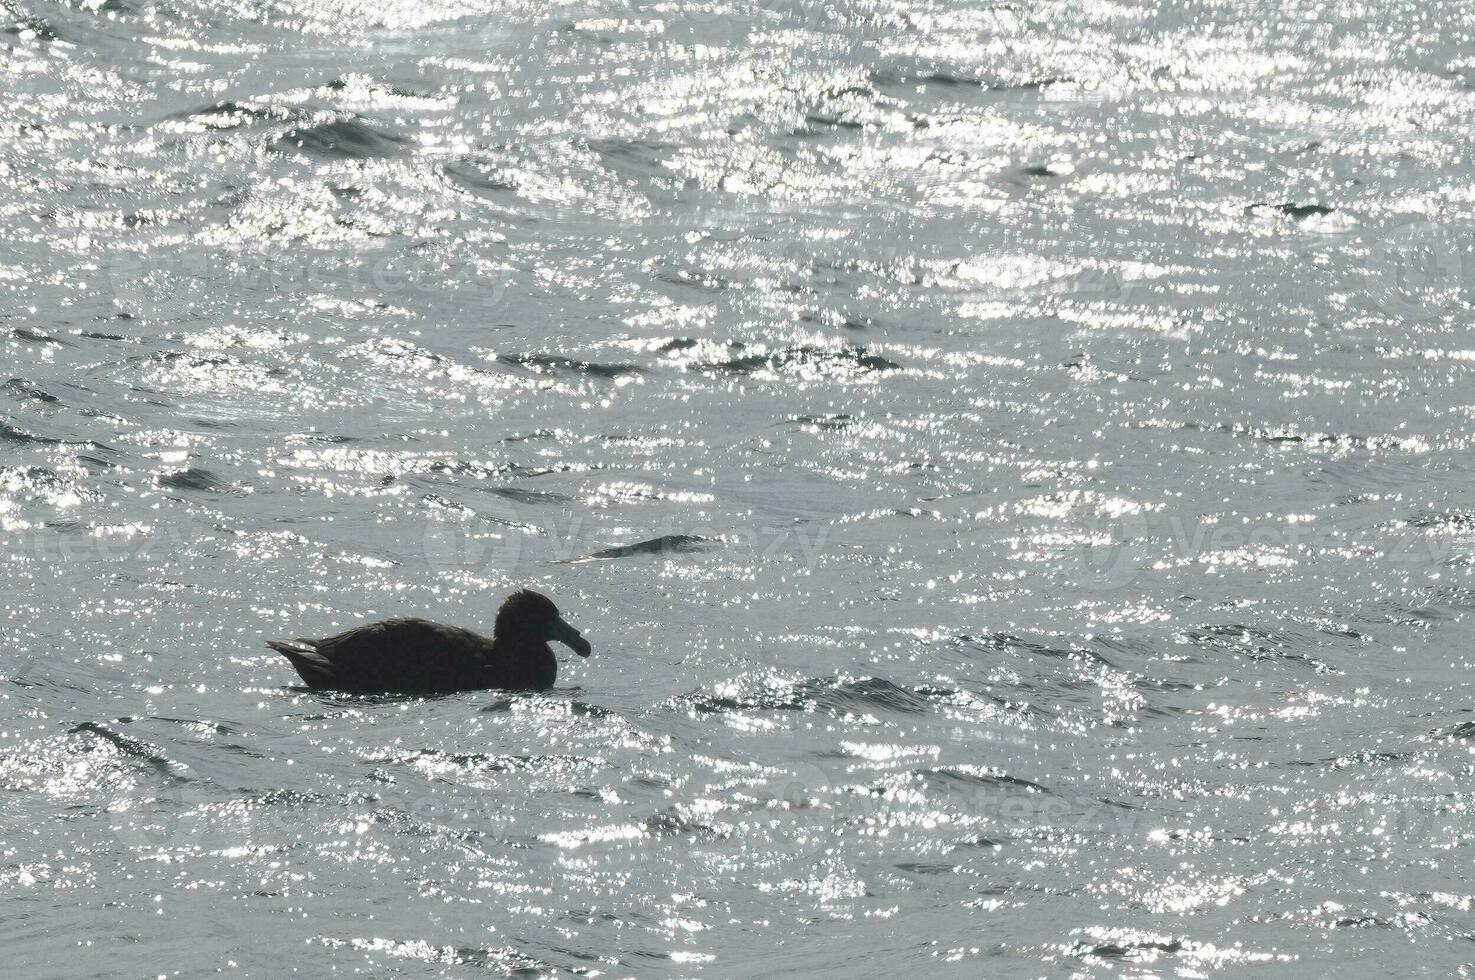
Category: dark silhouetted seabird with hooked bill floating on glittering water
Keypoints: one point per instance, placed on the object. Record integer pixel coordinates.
(409, 656)
